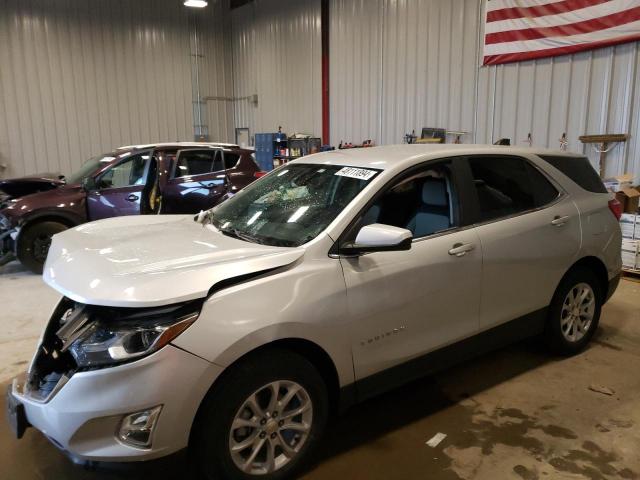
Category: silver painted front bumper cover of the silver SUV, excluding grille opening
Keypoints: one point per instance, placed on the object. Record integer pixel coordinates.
(84, 416)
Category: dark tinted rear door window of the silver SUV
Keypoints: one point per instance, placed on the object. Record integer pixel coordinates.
(507, 186)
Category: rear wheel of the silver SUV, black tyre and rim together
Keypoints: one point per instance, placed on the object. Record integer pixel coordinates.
(574, 313)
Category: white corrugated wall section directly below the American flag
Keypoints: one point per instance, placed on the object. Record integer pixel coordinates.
(586, 93)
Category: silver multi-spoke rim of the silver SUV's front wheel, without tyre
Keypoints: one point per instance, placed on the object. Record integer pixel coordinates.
(270, 427)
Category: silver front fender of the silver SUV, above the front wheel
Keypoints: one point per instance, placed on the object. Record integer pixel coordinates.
(306, 301)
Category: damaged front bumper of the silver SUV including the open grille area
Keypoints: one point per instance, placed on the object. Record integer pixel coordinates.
(83, 412)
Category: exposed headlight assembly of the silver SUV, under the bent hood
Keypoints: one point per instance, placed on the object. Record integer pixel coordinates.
(104, 336)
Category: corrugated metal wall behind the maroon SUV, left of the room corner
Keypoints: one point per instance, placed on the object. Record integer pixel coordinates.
(78, 78)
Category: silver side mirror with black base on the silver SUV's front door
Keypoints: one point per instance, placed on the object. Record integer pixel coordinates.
(378, 238)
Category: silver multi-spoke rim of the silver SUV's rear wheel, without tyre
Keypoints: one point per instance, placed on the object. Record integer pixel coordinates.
(577, 312)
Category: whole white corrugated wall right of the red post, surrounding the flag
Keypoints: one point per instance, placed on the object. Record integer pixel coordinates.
(399, 65)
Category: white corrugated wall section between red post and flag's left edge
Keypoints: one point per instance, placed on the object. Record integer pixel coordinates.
(419, 64)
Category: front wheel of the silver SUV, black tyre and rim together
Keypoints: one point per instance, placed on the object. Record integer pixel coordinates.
(263, 420)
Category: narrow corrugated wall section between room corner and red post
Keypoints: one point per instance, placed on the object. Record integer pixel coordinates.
(277, 55)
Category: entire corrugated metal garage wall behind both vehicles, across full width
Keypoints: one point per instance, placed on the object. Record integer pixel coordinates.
(79, 78)
